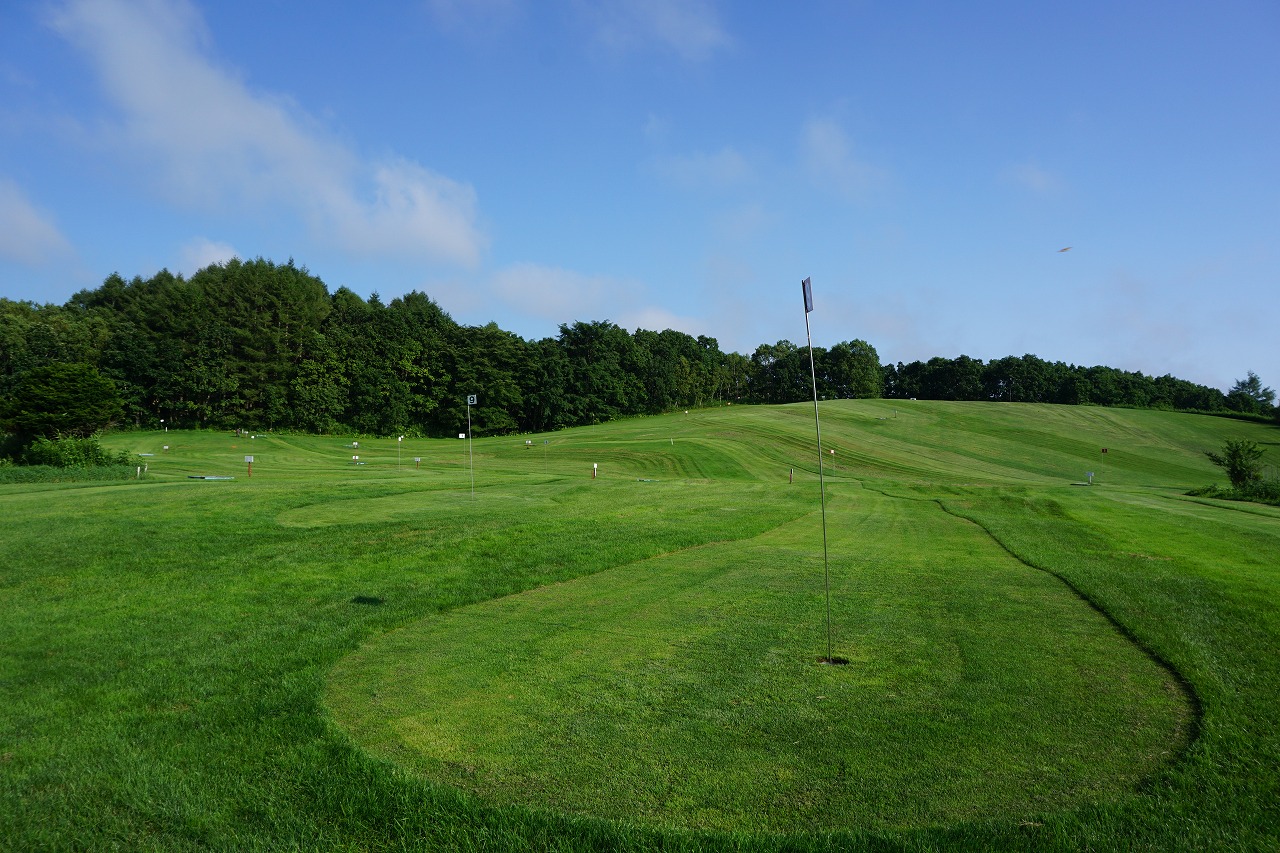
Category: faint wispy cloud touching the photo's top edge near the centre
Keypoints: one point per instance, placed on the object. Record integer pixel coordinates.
(691, 29)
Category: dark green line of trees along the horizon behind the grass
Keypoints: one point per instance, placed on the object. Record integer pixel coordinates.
(260, 345)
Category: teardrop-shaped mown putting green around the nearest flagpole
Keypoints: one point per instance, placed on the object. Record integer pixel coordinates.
(685, 690)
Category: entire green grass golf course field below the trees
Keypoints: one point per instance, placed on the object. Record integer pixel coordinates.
(412, 655)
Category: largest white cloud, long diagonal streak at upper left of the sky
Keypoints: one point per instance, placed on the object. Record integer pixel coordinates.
(213, 142)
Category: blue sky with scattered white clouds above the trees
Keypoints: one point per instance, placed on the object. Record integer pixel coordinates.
(678, 165)
